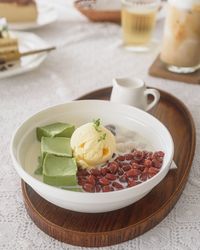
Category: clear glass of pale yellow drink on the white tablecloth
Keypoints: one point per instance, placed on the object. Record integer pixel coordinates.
(138, 23)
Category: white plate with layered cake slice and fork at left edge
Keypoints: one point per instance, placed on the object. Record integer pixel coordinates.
(27, 41)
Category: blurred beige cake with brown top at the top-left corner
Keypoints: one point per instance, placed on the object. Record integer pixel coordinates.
(18, 10)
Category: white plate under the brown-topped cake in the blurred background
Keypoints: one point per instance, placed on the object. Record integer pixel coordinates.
(47, 14)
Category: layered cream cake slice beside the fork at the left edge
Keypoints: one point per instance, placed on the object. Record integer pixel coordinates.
(8, 45)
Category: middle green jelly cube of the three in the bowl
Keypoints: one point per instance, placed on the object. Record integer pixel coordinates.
(56, 145)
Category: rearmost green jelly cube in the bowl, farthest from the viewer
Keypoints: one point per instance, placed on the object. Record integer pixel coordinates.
(58, 129)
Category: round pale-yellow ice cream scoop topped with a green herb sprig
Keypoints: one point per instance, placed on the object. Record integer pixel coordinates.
(92, 145)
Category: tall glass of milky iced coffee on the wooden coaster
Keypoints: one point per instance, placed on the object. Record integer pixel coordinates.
(181, 43)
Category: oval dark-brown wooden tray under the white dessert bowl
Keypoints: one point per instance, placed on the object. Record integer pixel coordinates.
(103, 229)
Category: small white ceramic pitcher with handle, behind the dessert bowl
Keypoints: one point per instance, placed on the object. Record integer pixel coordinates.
(132, 91)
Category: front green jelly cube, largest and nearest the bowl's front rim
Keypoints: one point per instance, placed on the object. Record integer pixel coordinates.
(59, 171)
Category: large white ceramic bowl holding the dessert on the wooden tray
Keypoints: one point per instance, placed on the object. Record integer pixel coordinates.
(25, 149)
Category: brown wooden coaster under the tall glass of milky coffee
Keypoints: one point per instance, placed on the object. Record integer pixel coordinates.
(158, 69)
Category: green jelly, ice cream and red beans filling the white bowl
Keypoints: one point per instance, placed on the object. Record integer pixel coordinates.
(94, 158)
